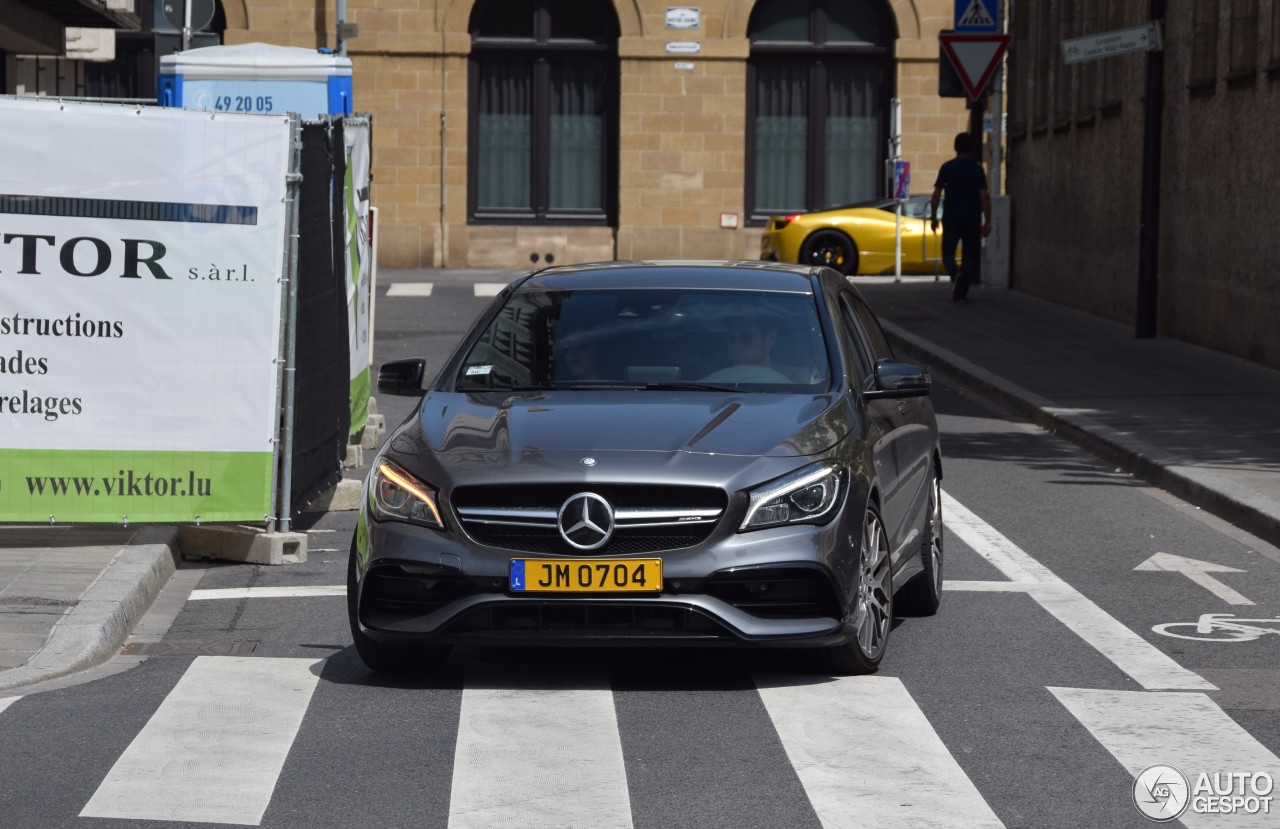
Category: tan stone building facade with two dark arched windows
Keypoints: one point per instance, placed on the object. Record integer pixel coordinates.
(518, 132)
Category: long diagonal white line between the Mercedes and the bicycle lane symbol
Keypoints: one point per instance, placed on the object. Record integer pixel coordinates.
(1132, 654)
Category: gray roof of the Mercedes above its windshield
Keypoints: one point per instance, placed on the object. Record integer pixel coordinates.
(735, 274)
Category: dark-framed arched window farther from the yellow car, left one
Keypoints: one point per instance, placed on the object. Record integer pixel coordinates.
(543, 112)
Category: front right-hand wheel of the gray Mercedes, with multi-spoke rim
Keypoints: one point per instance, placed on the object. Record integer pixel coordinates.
(872, 615)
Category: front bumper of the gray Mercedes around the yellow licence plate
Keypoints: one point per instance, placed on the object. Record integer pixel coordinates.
(772, 588)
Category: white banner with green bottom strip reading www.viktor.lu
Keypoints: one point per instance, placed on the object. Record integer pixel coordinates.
(141, 253)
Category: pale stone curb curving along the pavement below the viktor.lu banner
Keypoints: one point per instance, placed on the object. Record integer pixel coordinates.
(102, 621)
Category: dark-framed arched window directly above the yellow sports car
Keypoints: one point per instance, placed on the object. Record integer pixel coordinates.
(820, 83)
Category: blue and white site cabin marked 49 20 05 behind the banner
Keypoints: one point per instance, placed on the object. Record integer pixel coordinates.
(257, 79)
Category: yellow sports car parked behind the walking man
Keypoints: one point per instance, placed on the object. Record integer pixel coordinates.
(857, 240)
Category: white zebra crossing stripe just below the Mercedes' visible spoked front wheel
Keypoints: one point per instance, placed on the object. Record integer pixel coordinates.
(867, 755)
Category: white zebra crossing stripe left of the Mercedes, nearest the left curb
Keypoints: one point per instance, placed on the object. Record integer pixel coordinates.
(214, 749)
